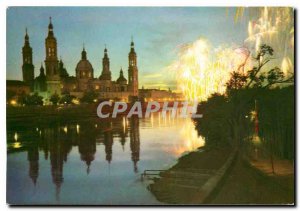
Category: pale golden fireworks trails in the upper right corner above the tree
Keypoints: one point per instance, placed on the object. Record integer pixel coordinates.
(273, 26)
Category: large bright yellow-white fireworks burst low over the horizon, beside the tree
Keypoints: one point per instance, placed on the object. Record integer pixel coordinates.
(202, 70)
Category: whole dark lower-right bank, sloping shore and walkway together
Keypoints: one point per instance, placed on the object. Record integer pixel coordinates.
(242, 183)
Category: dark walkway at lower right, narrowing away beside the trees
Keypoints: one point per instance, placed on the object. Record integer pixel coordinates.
(246, 185)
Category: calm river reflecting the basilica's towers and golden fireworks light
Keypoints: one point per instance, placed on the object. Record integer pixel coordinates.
(93, 161)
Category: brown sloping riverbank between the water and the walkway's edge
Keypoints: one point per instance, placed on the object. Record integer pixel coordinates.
(194, 177)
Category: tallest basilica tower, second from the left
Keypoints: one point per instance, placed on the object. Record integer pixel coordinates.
(51, 62)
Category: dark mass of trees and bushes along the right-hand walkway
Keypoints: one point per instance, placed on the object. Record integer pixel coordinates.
(227, 119)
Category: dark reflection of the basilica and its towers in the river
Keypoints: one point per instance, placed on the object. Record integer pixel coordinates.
(56, 144)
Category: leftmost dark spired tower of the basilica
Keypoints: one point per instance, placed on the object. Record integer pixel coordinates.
(27, 67)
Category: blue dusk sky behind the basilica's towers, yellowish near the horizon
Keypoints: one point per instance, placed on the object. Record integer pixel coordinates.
(157, 33)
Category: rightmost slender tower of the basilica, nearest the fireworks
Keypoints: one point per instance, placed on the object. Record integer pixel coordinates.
(133, 83)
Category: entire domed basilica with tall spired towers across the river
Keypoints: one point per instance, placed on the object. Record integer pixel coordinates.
(54, 78)
